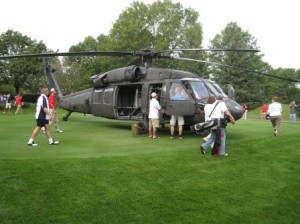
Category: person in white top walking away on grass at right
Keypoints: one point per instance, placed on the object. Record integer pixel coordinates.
(275, 110)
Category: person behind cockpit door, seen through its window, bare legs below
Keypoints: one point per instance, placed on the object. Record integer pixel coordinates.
(179, 95)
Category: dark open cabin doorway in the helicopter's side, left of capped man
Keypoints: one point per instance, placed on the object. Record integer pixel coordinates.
(128, 102)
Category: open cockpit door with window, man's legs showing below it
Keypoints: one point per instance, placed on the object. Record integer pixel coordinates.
(179, 102)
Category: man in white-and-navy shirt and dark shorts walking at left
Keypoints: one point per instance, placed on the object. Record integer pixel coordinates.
(42, 116)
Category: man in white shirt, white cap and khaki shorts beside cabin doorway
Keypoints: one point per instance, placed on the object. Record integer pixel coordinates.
(153, 116)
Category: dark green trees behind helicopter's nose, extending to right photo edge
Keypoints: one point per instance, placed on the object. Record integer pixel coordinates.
(251, 87)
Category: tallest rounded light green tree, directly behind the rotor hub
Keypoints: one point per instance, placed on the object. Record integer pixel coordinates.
(160, 26)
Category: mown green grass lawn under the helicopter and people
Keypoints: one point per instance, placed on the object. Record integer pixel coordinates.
(100, 173)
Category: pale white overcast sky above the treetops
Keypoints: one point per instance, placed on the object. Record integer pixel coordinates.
(63, 23)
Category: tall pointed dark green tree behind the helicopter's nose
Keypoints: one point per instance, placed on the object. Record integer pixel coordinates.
(247, 84)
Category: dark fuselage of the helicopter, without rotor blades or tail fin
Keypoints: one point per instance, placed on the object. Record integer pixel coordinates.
(124, 94)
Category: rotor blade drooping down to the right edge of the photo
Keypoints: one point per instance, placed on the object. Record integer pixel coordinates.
(239, 68)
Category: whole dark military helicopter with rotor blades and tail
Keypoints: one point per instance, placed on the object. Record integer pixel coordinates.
(124, 93)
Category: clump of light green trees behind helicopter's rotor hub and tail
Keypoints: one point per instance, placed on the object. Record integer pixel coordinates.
(160, 26)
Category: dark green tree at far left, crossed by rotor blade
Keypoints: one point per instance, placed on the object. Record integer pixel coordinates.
(21, 73)
